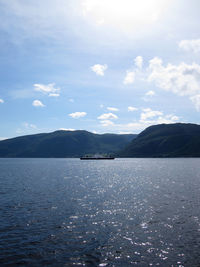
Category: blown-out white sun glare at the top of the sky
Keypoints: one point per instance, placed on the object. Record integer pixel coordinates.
(124, 14)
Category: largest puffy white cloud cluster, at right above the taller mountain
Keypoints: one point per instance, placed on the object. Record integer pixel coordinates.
(181, 79)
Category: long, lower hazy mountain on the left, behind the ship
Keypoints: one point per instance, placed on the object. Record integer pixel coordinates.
(60, 144)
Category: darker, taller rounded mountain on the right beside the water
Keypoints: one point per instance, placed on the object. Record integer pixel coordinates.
(165, 140)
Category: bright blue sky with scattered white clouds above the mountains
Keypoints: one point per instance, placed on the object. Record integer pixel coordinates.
(103, 66)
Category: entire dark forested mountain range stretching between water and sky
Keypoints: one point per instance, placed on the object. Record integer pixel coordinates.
(164, 140)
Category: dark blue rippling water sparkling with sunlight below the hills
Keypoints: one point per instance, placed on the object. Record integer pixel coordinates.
(67, 212)
